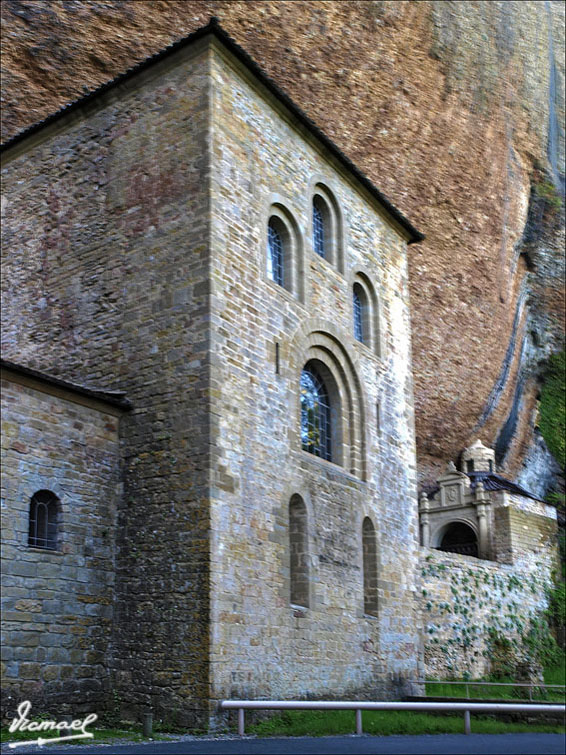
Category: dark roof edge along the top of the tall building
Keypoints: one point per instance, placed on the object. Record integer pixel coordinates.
(213, 27)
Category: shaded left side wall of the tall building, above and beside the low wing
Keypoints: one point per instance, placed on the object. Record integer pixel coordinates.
(105, 282)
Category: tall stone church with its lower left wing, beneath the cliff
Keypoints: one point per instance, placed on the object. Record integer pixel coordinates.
(208, 447)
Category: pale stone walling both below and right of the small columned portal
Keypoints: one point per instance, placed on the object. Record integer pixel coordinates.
(468, 602)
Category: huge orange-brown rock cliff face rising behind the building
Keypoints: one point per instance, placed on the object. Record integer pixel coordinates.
(453, 109)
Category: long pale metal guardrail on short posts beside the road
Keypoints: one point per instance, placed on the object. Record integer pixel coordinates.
(466, 708)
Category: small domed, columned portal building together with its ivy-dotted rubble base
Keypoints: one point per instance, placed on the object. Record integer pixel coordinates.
(488, 559)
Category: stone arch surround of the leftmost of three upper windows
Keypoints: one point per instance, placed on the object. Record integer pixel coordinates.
(294, 263)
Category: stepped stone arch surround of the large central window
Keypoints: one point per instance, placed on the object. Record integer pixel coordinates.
(318, 340)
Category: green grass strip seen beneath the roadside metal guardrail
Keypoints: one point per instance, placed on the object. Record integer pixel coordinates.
(296, 723)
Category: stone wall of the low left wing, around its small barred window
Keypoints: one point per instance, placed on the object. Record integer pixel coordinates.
(58, 604)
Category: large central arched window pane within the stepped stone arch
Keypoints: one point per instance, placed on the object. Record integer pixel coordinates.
(316, 429)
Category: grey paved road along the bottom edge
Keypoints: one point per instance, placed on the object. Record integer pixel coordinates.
(439, 744)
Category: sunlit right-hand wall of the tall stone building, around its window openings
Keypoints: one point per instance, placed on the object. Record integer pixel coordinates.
(260, 644)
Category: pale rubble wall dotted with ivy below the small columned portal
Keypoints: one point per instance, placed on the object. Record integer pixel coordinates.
(482, 617)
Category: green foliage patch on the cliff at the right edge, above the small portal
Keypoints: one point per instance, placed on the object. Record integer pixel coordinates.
(552, 419)
